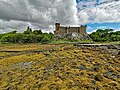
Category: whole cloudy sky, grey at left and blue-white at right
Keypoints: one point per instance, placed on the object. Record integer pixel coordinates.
(42, 14)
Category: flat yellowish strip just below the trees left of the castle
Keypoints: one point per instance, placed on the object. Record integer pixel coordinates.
(24, 47)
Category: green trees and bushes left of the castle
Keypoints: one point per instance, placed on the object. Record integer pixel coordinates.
(28, 36)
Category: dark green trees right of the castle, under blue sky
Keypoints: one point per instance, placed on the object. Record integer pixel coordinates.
(106, 35)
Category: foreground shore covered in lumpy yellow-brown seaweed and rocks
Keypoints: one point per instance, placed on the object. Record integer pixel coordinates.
(67, 68)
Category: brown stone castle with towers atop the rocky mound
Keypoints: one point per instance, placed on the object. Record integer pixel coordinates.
(62, 30)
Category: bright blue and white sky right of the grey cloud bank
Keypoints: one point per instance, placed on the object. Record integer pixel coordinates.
(100, 22)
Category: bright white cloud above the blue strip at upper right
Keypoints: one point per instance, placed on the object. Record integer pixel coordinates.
(106, 11)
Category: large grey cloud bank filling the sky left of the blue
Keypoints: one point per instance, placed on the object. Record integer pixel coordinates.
(18, 14)
